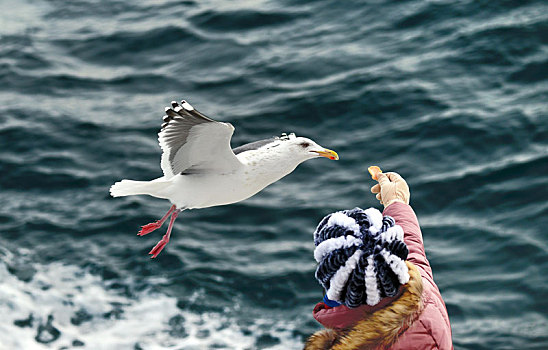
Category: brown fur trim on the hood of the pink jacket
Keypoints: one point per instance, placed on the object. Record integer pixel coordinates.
(379, 329)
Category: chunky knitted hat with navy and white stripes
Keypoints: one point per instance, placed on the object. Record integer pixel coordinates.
(361, 256)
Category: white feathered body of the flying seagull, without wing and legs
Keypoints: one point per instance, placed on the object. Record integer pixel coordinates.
(258, 169)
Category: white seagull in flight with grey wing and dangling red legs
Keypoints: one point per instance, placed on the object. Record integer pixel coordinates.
(201, 169)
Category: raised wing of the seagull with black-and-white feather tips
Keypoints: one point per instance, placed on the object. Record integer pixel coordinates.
(193, 143)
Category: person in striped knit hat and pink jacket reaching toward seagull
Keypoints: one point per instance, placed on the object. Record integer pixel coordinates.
(380, 290)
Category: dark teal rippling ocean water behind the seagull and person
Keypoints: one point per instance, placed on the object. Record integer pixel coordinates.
(450, 94)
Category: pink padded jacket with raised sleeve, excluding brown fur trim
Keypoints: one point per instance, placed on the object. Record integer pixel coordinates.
(430, 329)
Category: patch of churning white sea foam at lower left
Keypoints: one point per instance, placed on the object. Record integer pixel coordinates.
(60, 290)
